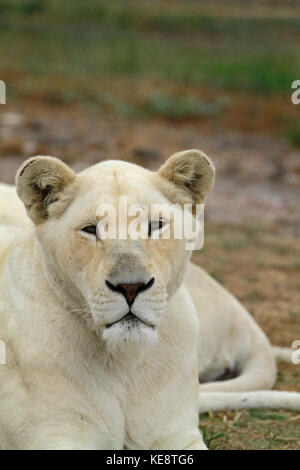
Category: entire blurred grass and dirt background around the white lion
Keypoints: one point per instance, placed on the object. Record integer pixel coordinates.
(140, 79)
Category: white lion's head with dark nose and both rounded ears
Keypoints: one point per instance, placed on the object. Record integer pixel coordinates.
(119, 286)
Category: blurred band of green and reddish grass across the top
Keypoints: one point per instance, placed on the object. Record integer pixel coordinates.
(228, 66)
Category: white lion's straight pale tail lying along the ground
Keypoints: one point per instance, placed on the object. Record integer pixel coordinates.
(269, 399)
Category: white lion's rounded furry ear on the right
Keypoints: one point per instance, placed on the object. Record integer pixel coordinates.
(191, 171)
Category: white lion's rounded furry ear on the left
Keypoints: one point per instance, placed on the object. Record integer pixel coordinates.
(40, 182)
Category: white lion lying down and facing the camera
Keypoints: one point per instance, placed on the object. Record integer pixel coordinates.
(107, 340)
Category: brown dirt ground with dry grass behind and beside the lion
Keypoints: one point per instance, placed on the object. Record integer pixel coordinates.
(252, 225)
